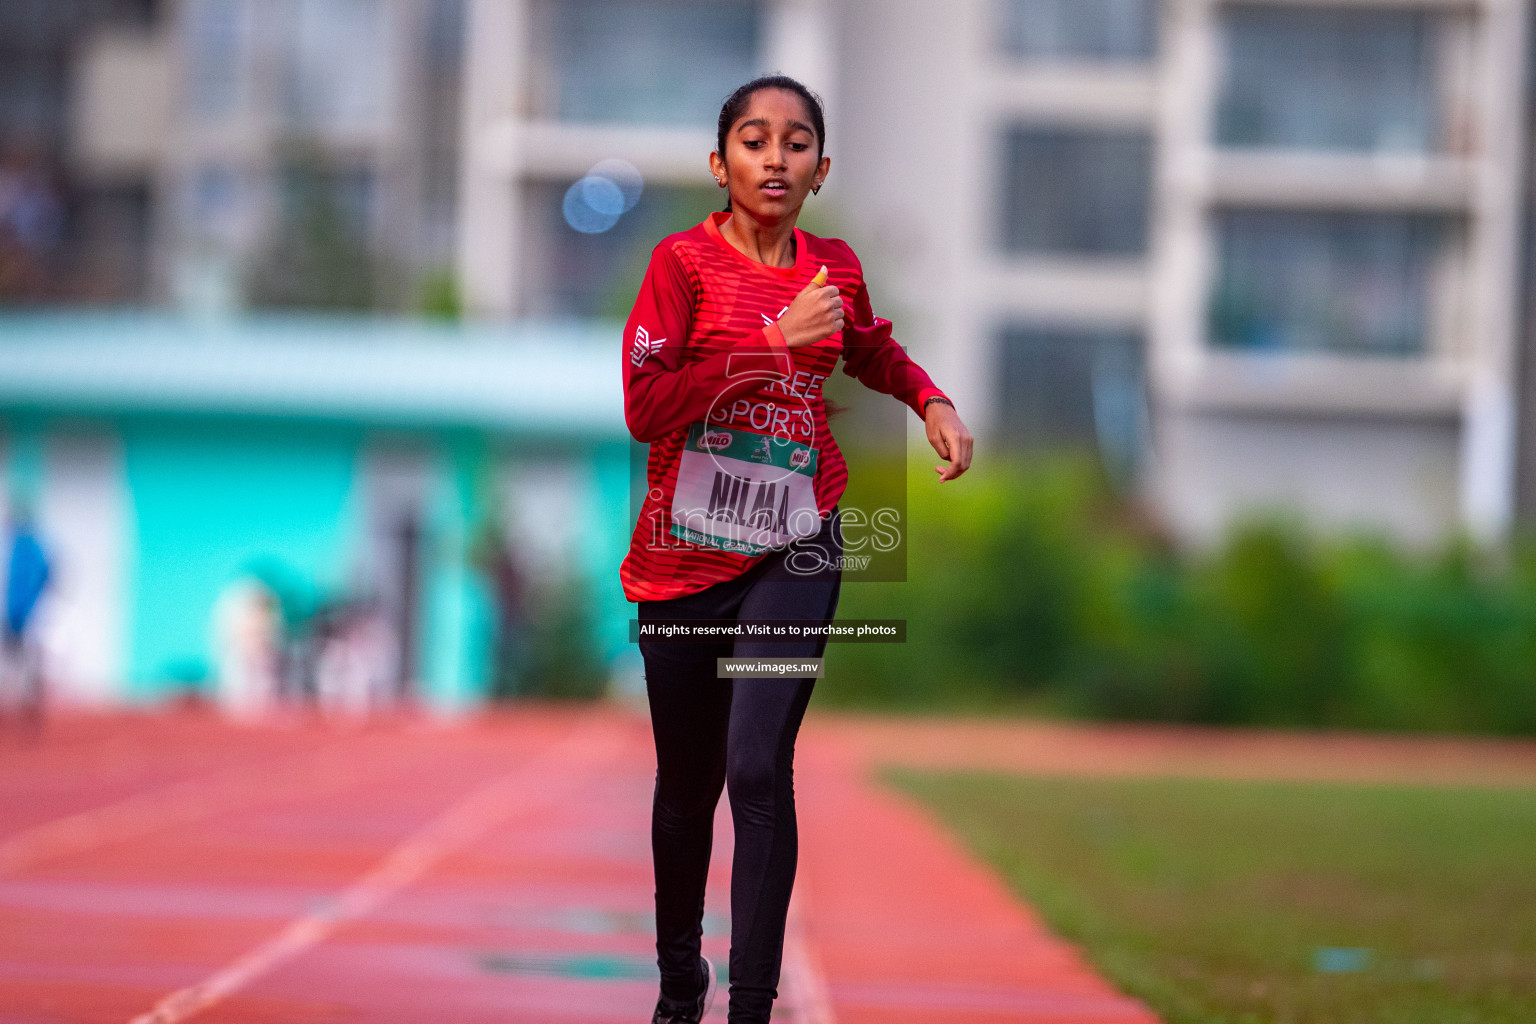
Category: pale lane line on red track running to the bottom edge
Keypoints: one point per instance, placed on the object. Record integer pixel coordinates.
(528, 788)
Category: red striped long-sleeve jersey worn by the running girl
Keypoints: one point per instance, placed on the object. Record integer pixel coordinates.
(743, 460)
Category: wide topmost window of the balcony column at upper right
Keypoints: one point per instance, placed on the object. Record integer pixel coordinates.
(1319, 79)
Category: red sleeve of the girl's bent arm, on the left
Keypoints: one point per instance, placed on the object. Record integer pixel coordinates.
(663, 391)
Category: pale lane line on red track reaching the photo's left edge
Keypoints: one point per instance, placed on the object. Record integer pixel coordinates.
(336, 765)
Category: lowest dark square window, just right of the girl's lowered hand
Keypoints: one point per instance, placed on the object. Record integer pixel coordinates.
(1071, 388)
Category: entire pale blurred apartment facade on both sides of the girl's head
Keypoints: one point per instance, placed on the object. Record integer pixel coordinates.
(1256, 254)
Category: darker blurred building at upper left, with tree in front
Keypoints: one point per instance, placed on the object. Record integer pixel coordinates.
(240, 153)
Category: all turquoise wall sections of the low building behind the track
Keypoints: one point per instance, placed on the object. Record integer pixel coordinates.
(213, 501)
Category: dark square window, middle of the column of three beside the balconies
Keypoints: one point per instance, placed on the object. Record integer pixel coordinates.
(1076, 193)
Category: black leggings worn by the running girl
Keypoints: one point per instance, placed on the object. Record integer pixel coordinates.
(738, 735)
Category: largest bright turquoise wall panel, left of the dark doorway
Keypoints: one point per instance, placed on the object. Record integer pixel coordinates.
(213, 503)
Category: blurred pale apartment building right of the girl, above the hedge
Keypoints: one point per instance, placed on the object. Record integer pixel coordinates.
(1265, 251)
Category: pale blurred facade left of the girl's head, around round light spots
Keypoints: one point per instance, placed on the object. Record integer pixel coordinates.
(555, 88)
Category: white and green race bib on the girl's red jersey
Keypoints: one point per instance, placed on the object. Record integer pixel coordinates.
(744, 492)
